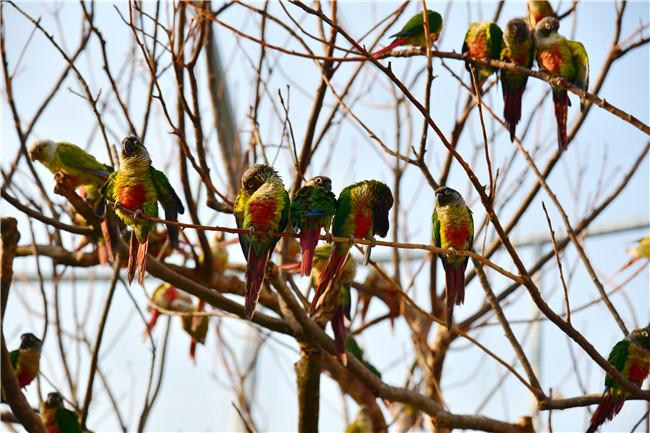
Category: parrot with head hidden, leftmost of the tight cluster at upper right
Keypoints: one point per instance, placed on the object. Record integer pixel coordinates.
(483, 41)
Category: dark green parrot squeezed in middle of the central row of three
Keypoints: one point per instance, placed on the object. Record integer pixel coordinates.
(312, 209)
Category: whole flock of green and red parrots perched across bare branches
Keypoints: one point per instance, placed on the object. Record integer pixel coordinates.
(263, 209)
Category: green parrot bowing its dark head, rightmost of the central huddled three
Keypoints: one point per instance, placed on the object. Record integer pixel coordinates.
(362, 211)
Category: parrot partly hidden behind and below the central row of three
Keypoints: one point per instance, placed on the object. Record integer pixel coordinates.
(337, 301)
